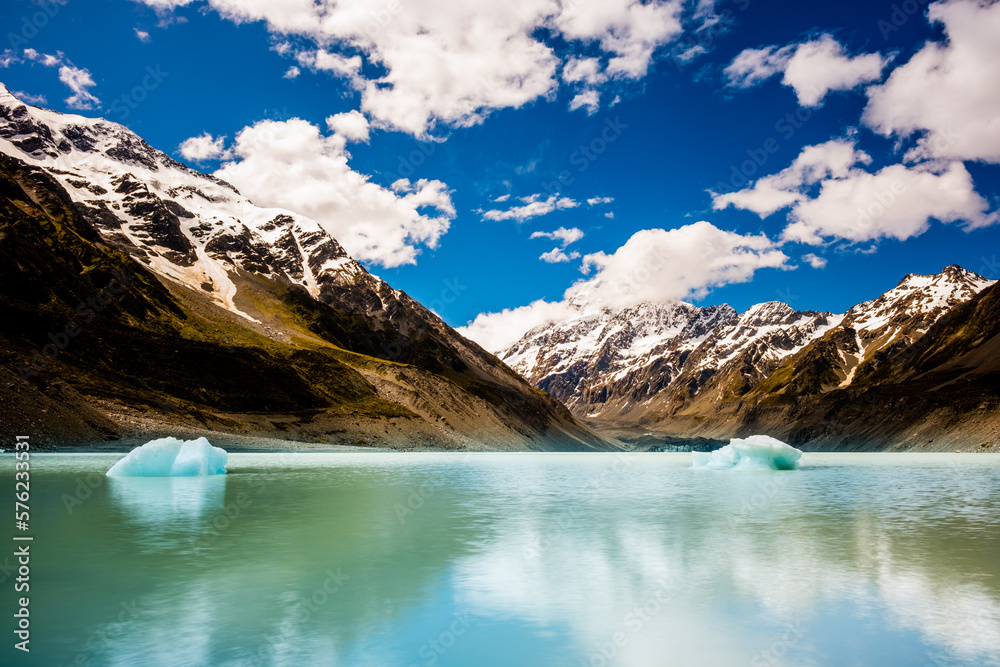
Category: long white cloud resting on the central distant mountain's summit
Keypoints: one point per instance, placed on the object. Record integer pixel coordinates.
(654, 265)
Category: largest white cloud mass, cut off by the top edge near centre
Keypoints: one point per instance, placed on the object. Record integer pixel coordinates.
(453, 62)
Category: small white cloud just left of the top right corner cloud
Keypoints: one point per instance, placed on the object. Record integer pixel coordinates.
(812, 69)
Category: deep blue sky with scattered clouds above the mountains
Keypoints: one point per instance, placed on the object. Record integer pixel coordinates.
(670, 127)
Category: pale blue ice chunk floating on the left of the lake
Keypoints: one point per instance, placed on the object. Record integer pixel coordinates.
(170, 457)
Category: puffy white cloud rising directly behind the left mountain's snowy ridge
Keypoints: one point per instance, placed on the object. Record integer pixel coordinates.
(290, 164)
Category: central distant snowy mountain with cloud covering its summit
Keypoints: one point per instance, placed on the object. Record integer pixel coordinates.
(614, 360)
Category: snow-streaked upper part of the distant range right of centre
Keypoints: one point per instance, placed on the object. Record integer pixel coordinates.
(647, 363)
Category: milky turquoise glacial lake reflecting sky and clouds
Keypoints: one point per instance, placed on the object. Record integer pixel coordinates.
(378, 559)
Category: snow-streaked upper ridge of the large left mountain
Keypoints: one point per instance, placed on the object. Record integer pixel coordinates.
(189, 227)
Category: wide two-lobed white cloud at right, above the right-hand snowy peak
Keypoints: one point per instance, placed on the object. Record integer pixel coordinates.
(830, 197)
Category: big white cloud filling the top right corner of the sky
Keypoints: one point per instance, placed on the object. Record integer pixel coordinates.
(948, 91)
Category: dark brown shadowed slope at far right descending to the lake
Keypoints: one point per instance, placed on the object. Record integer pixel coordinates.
(941, 391)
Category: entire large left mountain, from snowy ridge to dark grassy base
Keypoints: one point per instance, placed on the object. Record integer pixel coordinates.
(137, 291)
